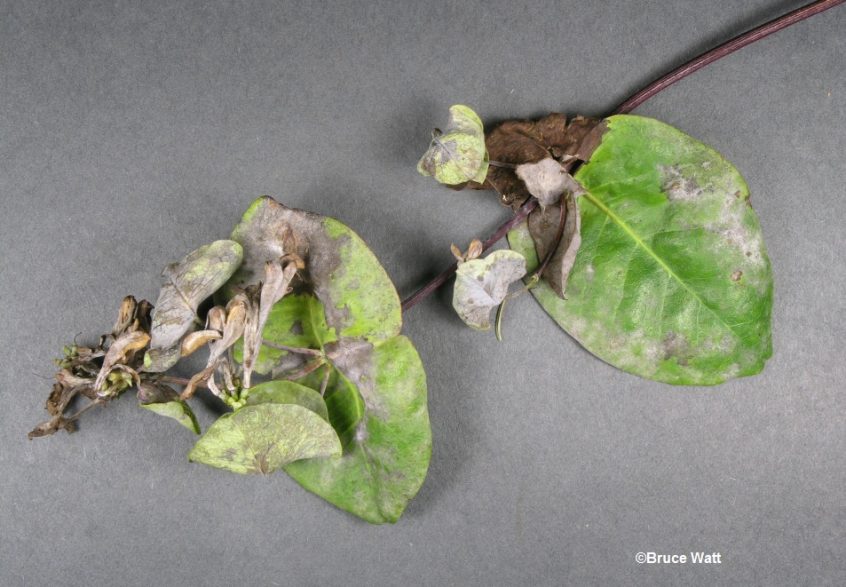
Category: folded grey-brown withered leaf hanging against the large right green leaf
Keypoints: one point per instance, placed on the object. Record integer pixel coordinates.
(546, 230)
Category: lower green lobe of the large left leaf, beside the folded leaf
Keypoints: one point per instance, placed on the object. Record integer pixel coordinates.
(386, 461)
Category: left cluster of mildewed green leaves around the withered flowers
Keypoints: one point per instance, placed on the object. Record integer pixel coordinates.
(365, 444)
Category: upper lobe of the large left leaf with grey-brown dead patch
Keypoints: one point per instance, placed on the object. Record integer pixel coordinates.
(357, 295)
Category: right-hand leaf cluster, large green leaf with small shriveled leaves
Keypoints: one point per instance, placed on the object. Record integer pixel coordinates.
(663, 261)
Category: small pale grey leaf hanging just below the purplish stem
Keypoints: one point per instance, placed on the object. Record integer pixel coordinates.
(482, 284)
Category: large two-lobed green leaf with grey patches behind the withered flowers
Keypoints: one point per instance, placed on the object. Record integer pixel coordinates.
(347, 309)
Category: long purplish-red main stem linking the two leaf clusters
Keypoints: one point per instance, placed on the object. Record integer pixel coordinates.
(633, 102)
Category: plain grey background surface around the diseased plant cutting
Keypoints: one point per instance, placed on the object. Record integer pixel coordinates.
(133, 132)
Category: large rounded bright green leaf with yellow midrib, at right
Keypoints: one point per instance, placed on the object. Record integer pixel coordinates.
(672, 280)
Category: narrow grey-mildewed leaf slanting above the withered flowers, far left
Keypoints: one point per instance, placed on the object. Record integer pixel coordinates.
(188, 282)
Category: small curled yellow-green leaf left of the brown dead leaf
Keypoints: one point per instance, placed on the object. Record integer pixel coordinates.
(457, 155)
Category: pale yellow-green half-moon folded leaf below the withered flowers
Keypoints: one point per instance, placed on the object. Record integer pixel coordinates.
(262, 438)
